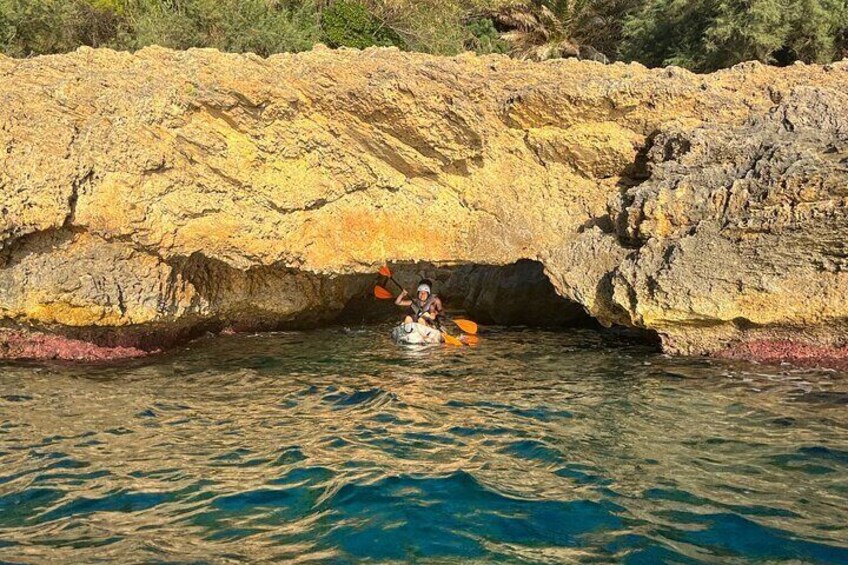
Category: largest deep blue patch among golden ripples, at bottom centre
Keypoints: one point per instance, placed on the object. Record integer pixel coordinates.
(451, 516)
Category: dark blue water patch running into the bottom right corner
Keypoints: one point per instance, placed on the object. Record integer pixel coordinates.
(730, 535)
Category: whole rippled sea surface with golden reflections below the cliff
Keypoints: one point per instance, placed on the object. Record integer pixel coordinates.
(336, 446)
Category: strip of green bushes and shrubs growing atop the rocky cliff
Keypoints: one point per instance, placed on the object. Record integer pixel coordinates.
(701, 35)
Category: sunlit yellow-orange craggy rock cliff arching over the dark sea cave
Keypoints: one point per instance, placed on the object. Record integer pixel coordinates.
(149, 196)
